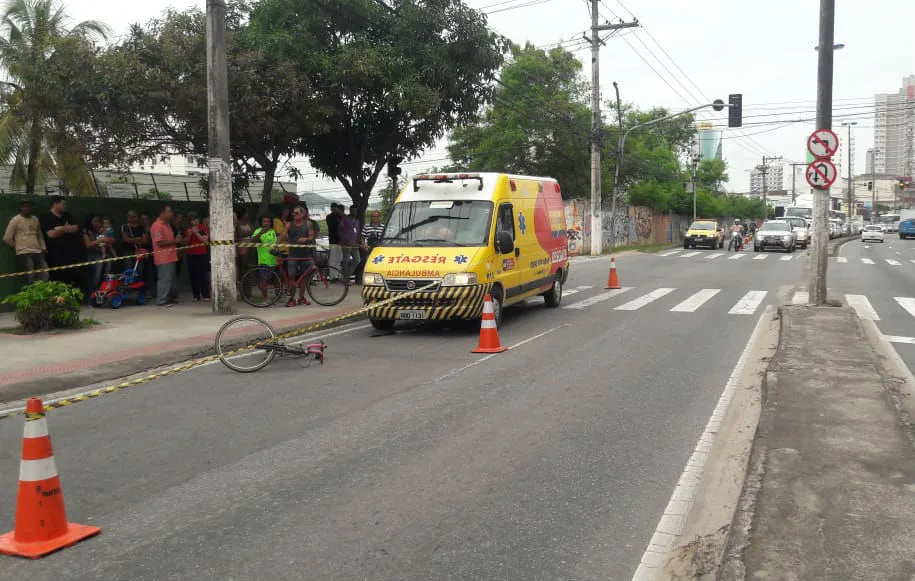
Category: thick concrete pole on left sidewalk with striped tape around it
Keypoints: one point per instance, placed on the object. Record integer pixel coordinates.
(222, 219)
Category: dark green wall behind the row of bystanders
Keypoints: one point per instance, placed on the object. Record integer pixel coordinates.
(79, 207)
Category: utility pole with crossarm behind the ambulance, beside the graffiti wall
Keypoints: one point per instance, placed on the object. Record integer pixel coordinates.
(597, 123)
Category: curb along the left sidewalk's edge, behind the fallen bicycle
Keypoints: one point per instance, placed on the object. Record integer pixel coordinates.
(129, 366)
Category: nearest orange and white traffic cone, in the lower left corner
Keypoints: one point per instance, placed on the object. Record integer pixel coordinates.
(41, 521)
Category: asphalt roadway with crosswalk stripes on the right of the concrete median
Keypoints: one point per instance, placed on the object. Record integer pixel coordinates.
(878, 280)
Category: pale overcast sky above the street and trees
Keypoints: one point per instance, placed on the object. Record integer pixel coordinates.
(681, 56)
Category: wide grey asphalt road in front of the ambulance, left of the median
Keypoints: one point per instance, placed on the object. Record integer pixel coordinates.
(408, 457)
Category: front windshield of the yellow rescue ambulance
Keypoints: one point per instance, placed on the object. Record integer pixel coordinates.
(439, 223)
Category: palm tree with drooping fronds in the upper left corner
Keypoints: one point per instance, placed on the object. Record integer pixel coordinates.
(31, 142)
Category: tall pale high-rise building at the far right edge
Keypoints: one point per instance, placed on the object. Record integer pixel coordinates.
(894, 130)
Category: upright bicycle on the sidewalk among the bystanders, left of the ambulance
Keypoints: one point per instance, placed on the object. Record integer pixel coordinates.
(262, 286)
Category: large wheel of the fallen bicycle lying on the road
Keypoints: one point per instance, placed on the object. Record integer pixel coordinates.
(234, 338)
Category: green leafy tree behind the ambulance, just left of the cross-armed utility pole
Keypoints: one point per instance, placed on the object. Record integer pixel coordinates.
(538, 124)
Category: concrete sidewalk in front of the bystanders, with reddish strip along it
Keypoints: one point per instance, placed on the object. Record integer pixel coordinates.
(130, 340)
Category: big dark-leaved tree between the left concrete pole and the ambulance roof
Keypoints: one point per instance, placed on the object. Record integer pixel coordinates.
(395, 76)
